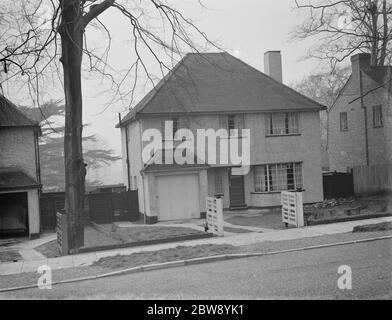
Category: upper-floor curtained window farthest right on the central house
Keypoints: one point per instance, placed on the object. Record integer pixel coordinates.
(284, 123)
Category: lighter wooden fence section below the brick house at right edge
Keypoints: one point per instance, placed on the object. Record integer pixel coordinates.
(374, 179)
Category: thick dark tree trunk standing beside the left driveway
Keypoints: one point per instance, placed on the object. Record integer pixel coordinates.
(71, 32)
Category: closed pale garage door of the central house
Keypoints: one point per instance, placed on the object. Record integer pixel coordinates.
(178, 197)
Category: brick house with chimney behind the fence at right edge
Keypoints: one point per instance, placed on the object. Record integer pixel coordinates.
(360, 120)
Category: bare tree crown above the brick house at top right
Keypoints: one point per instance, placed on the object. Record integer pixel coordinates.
(344, 27)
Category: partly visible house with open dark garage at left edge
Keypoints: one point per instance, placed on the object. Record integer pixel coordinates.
(19, 172)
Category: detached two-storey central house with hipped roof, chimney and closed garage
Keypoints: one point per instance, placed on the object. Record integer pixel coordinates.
(218, 91)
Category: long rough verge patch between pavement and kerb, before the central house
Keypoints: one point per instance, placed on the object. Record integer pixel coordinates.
(166, 255)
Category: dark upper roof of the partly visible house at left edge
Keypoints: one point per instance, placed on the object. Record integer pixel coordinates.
(11, 116)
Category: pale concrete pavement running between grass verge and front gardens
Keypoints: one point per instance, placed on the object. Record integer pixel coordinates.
(236, 240)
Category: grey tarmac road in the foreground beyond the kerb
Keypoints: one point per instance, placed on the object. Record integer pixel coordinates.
(311, 274)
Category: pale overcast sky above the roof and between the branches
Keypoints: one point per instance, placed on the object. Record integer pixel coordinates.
(245, 28)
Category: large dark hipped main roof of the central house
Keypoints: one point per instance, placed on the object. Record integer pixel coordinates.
(218, 82)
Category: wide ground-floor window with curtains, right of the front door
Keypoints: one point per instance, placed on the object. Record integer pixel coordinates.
(278, 177)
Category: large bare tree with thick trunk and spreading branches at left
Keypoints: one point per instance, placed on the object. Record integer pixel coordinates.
(36, 34)
